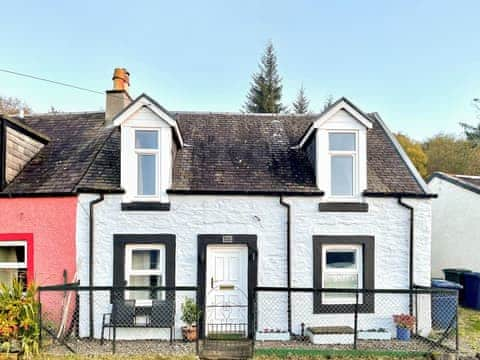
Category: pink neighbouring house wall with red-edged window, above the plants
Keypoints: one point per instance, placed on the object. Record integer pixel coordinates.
(37, 239)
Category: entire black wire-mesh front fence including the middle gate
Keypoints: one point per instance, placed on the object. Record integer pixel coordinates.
(133, 320)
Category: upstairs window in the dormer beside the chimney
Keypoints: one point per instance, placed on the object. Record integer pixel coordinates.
(147, 154)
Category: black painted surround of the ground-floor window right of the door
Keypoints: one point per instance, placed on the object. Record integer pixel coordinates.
(368, 272)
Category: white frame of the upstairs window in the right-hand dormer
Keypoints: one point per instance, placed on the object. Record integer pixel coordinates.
(351, 153)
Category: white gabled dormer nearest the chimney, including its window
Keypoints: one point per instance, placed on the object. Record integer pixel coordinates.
(148, 133)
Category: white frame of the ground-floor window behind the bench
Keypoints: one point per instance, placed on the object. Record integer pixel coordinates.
(129, 248)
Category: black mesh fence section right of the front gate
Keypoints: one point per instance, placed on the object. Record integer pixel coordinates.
(315, 321)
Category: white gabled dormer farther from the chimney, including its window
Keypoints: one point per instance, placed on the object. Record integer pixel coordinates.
(340, 151)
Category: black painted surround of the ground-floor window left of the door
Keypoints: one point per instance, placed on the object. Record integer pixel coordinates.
(119, 243)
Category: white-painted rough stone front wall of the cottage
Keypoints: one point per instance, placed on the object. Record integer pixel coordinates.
(192, 215)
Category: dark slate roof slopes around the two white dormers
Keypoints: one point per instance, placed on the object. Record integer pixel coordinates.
(223, 152)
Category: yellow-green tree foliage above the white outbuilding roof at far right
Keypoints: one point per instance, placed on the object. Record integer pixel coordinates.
(450, 154)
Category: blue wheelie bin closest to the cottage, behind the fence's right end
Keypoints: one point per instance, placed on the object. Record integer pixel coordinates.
(444, 304)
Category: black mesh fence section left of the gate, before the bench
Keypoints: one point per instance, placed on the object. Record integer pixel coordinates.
(105, 319)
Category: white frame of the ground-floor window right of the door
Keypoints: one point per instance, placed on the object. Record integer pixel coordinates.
(358, 270)
